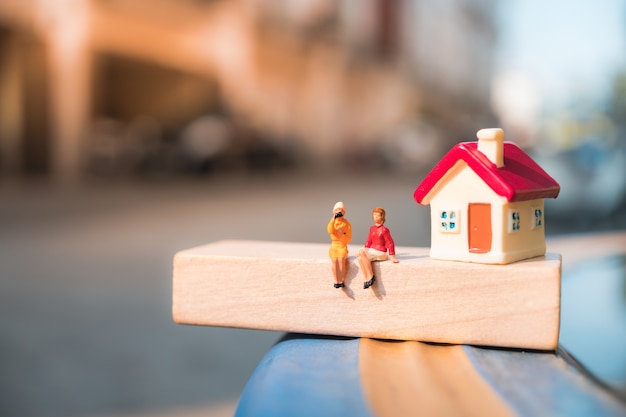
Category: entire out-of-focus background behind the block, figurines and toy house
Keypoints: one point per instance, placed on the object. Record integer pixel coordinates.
(133, 129)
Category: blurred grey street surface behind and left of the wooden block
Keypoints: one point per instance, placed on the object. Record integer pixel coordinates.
(85, 305)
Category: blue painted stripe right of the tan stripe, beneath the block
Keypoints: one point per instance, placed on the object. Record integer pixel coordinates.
(540, 384)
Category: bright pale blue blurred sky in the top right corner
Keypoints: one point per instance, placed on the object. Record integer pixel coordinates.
(564, 48)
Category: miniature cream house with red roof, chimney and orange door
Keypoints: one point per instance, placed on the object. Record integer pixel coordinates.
(487, 202)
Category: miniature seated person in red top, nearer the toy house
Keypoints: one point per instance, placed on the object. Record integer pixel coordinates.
(378, 247)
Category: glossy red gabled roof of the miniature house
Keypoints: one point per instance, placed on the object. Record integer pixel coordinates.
(520, 178)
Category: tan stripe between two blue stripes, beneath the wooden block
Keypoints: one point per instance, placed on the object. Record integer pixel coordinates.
(413, 378)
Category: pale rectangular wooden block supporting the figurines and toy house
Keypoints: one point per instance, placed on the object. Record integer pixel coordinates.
(288, 287)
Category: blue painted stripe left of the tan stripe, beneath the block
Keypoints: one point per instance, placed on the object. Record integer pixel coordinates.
(306, 376)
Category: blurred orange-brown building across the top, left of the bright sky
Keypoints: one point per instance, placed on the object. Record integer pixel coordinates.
(115, 86)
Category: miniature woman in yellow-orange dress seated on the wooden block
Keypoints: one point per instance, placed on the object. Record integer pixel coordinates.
(340, 231)
